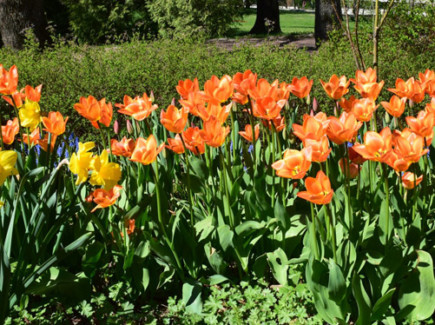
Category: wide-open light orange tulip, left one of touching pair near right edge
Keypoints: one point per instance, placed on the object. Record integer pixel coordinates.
(376, 145)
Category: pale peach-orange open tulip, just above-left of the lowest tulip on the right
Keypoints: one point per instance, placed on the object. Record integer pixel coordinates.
(294, 164)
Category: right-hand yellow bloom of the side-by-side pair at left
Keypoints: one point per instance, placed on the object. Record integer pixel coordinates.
(104, 173)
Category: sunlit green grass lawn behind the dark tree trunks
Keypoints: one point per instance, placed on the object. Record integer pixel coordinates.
(292, 22)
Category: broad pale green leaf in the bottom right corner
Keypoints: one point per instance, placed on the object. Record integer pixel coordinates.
(417, 293)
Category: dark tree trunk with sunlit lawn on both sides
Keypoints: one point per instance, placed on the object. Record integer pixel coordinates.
(267, 21)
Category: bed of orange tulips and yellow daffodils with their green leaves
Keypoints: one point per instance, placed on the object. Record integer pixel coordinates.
(237, 178)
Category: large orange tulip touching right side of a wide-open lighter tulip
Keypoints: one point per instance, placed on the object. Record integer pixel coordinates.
(409, 145)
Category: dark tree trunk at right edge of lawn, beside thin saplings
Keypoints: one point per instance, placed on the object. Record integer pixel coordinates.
(326, 18)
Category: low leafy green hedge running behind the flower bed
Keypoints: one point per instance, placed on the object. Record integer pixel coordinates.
(69, 71)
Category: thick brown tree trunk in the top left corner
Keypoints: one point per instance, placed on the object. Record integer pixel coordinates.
(17, 17)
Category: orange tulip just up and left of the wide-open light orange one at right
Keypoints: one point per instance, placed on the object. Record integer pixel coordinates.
(343, 129)
